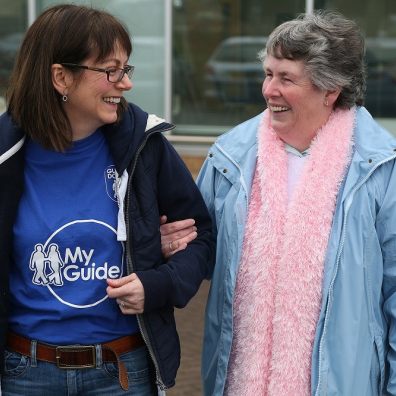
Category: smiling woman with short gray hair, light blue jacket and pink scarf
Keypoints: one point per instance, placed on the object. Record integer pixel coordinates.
(303, 198)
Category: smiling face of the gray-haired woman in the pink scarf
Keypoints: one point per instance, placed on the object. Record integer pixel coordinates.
(297, 108)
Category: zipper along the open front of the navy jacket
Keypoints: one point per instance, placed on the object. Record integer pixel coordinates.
(130, 266)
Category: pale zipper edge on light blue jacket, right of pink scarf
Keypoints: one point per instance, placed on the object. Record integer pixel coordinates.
(348, 203)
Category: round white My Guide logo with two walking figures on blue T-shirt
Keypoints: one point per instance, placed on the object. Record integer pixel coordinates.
(75, 261)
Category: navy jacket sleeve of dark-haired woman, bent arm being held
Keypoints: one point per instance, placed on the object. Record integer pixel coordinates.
(177, 280)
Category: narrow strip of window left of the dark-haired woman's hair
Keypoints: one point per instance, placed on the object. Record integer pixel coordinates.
(13, 22)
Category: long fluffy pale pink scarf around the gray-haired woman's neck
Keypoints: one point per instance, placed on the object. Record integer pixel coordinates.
(279, 284)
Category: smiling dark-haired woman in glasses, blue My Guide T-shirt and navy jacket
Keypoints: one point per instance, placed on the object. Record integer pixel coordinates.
(86, 298)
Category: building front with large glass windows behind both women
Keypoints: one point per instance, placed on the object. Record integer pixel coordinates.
(196, 60)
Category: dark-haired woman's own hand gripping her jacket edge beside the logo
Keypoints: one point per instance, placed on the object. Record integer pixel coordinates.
(129, 293)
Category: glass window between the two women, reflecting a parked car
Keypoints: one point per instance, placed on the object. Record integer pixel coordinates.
(217, 77)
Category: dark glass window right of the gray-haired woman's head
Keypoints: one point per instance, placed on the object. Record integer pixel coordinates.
(378, 23)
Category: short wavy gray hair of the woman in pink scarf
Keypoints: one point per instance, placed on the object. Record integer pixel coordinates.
(332, 48)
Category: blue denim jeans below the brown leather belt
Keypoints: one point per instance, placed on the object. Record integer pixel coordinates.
(25, 376)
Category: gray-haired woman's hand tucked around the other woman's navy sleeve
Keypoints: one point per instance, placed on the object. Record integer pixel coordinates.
(177, 235)
